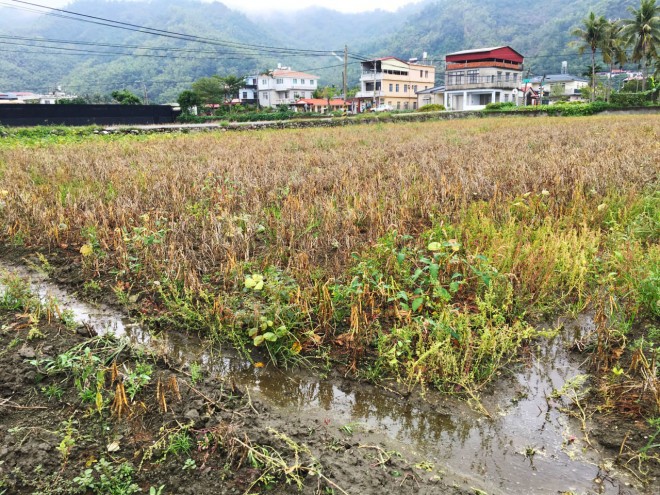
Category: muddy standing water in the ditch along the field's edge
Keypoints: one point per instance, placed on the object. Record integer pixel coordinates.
(530, 445)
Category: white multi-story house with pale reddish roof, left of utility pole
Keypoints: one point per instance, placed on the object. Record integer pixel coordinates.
(284, 86)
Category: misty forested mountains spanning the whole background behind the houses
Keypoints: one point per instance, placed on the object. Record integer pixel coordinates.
(123, 58)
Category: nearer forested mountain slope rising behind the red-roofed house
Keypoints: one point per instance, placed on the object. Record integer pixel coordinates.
(541, 32)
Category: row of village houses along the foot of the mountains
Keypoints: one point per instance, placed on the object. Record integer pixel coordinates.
(473, 79)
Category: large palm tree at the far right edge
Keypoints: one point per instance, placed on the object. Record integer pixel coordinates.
(642, 32)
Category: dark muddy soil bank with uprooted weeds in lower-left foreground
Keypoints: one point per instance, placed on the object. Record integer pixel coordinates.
(49, 436)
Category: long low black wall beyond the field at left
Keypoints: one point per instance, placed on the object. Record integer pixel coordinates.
(30, 115)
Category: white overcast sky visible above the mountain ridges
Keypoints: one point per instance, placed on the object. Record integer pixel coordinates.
(269, 5)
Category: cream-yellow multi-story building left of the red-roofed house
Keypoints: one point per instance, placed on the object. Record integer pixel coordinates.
(393, 82)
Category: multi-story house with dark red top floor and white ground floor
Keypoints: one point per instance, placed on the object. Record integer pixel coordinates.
(475, 78)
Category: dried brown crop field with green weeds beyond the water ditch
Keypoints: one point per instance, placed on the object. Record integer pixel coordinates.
(420, 251)
